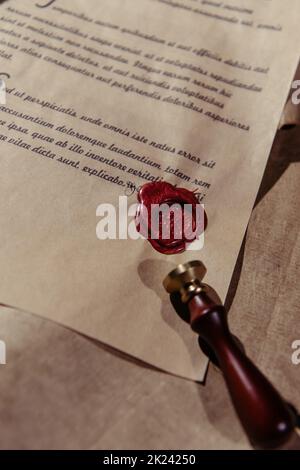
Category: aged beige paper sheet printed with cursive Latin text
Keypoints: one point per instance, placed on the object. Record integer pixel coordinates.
(105, 96)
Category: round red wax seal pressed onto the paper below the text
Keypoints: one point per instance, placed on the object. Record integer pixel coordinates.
(169, 217)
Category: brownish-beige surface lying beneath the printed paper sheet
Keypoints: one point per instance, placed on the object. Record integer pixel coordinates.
(62, 390)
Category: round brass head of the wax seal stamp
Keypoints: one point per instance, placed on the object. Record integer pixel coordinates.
(186, 279)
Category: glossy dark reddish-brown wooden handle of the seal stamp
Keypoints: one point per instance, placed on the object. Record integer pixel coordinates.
(265, 416)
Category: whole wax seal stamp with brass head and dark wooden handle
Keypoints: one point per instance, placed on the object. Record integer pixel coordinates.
(267, 419)
